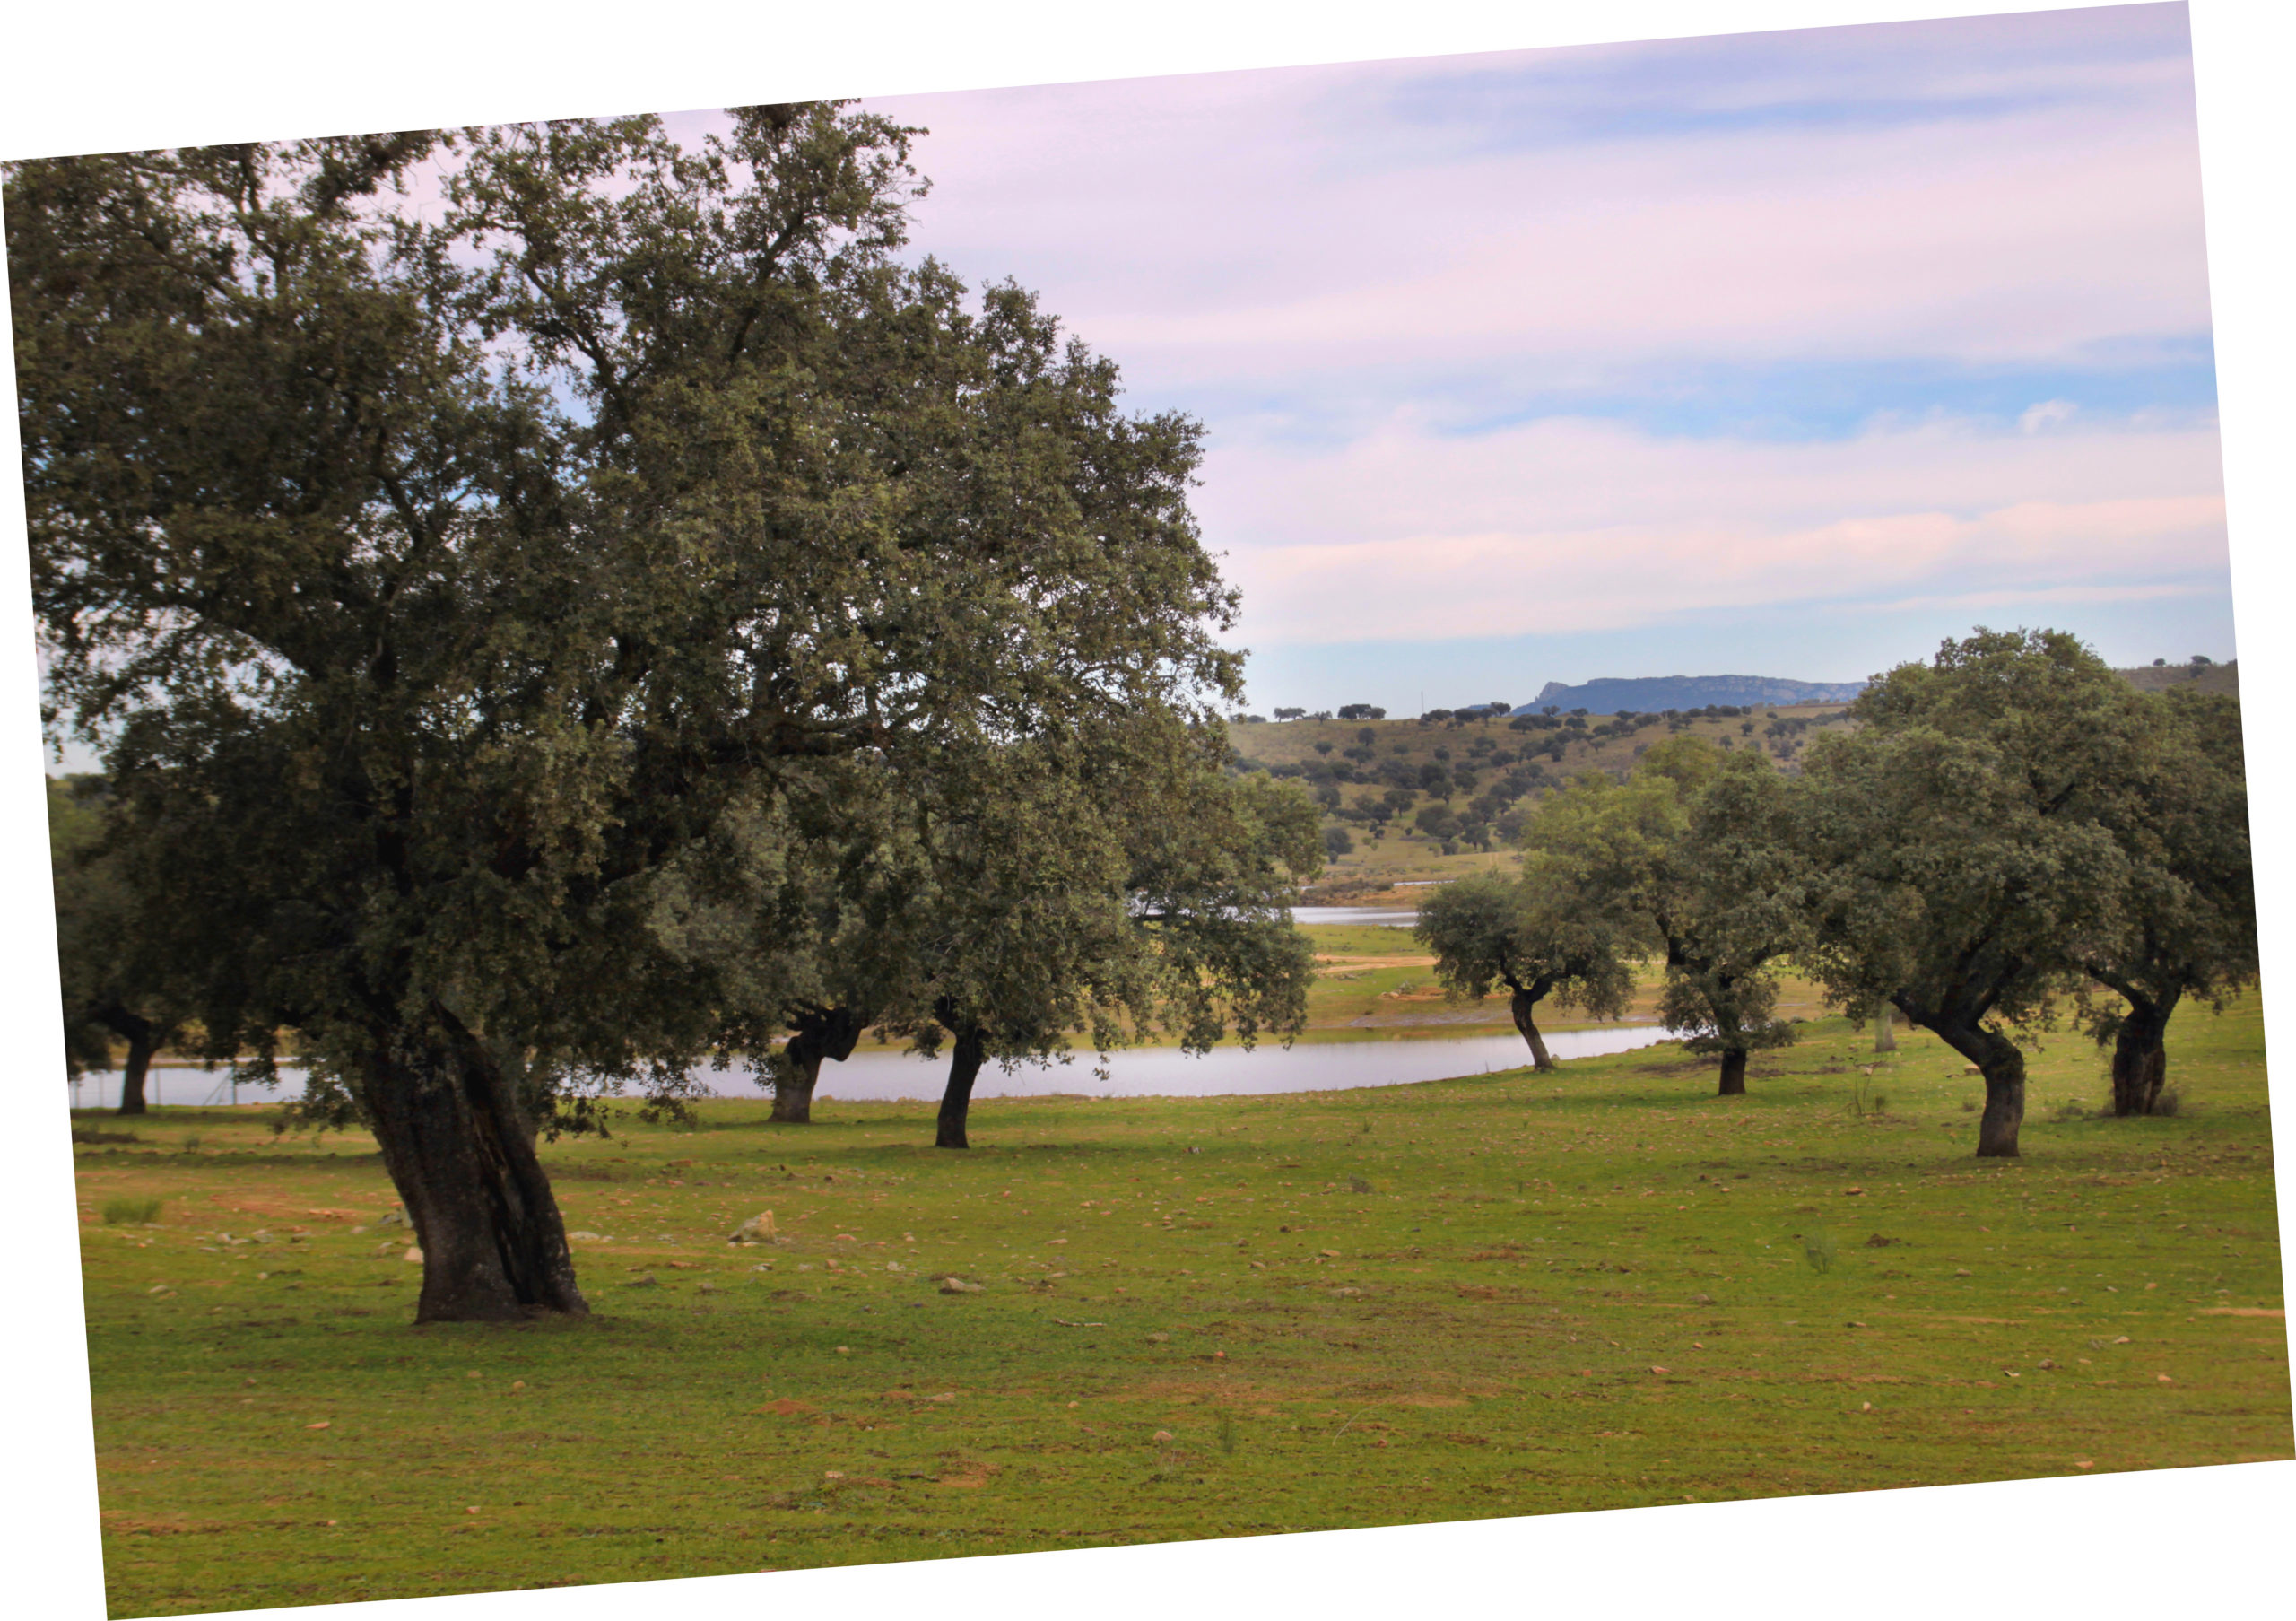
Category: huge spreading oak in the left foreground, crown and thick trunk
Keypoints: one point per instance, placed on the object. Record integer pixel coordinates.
(444, 584)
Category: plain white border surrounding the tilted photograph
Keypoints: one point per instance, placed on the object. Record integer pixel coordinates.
(162, 75)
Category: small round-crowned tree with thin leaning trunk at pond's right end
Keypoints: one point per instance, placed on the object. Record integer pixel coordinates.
(1539, 936)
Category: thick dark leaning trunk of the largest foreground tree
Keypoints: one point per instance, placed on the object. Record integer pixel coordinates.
(463, 1156)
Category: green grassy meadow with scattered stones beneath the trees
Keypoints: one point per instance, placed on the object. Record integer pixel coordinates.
(1588, 1292)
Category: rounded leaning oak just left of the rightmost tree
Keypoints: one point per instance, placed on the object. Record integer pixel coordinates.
(1964, 844)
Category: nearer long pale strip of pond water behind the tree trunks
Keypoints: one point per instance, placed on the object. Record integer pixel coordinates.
(1140, 1073)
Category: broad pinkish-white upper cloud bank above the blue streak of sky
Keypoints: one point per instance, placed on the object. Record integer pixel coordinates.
(1298, 226)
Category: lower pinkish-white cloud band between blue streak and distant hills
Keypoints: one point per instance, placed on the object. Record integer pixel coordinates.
(1581, 527)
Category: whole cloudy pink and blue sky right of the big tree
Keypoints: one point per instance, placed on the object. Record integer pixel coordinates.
(1769, 355)
